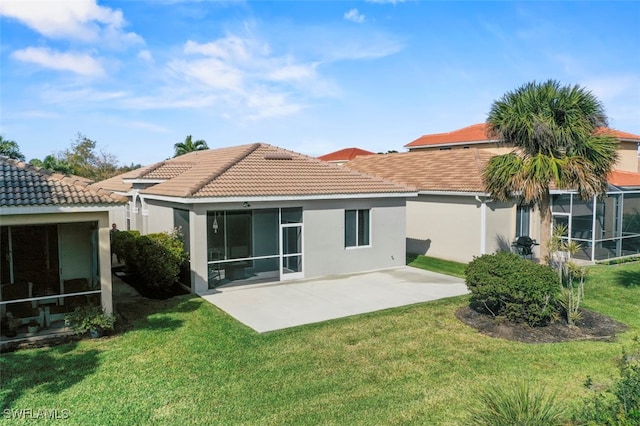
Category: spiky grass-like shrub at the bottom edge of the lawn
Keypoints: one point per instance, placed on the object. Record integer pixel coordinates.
(517, 405)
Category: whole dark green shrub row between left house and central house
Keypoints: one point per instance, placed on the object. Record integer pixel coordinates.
(156, 258)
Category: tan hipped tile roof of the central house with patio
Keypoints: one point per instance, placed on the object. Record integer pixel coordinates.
(255, 170)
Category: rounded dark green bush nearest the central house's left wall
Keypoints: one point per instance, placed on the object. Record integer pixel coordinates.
(159, 258)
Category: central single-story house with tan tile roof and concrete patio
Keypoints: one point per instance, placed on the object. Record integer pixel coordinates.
(257, 212)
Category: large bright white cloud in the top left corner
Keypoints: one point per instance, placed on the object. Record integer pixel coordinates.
(80, 20)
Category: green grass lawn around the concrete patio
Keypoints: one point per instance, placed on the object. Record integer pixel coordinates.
(186, 362)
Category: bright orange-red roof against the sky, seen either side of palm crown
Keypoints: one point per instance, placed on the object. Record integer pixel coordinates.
(477, 133)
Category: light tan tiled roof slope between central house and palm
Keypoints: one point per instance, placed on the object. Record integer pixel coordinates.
(454, 170)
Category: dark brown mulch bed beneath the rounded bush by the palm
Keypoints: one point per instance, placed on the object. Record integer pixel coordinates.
(592, 326)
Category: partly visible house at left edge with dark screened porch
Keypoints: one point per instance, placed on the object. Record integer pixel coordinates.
(54, 240)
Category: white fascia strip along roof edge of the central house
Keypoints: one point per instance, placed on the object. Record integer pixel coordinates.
(240, 199)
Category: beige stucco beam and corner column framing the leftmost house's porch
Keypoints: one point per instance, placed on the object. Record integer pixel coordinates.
(101, 217)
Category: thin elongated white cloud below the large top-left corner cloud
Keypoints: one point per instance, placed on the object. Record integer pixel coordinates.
(77, 63)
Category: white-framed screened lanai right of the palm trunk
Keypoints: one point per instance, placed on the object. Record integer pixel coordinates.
(606, 227)
